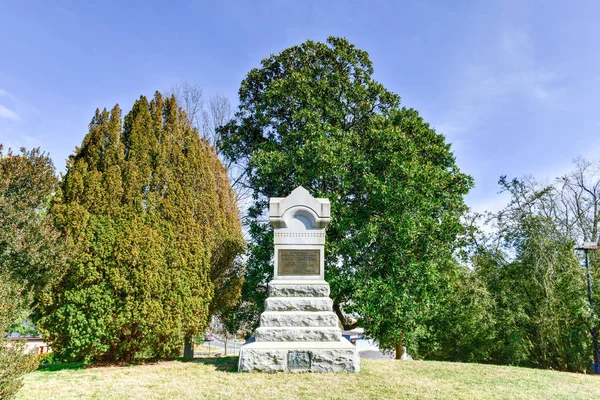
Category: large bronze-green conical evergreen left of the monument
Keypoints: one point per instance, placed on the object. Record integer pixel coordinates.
(148, 209)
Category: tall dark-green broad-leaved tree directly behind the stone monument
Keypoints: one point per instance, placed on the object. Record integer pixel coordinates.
(314, 116)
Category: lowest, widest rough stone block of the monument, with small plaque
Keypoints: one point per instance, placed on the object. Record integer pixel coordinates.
(339, 356)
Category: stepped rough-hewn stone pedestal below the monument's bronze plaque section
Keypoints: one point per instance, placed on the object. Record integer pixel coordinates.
(299, 333)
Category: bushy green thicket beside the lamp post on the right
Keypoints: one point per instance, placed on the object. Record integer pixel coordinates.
(522, 301)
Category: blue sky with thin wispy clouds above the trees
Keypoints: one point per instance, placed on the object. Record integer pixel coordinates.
(513, 85)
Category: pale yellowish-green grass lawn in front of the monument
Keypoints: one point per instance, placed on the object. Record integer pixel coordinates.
(216, 378)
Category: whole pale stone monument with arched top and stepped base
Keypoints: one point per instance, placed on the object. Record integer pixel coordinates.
(298, 331)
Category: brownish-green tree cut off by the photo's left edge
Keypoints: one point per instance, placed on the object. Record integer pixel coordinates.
(31, 252)
